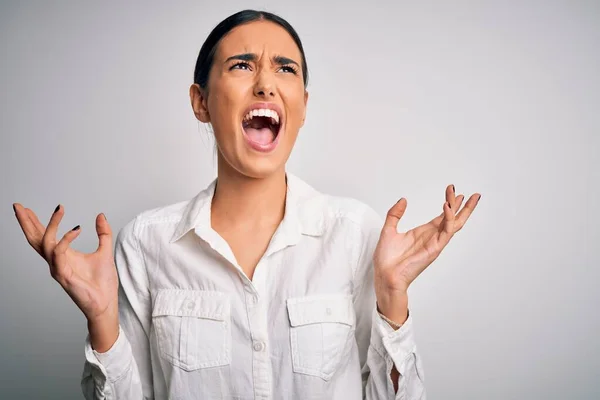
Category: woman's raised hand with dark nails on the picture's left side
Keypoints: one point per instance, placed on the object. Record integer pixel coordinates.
(91, 280)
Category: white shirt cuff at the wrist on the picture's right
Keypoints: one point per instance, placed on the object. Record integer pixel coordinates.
(397, 345)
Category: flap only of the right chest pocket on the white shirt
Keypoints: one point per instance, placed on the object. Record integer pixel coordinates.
(323, 308)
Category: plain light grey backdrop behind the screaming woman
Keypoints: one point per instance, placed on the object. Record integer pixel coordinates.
(496, 97)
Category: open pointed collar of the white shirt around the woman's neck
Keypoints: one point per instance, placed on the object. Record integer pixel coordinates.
(301, 217)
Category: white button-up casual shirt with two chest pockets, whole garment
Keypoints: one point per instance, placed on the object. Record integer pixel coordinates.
(193, 326)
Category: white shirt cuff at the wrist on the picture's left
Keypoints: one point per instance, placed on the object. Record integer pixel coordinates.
(114, 362)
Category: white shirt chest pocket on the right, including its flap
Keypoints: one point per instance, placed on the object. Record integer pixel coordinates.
(321, 331)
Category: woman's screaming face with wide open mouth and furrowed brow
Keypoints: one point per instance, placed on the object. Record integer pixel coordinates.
(255, 98)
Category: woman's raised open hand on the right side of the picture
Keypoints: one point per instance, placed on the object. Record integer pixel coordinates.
(400, 257)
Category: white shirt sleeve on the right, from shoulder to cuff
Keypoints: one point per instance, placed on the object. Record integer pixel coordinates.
(380, 346)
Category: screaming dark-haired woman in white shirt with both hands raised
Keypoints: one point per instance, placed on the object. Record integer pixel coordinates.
(259, 287)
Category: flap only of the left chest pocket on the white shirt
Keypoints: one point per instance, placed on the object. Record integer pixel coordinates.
(192, 303)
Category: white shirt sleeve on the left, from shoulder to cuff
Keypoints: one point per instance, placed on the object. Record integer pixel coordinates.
(124, 371)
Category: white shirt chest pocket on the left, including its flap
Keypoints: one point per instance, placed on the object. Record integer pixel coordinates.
(193, 327)
